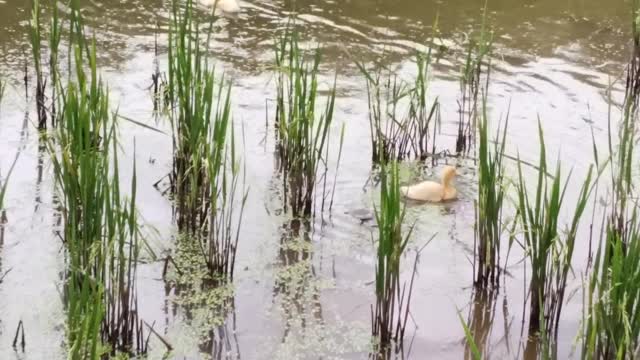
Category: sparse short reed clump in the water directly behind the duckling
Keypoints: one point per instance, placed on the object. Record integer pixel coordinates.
(396, 133)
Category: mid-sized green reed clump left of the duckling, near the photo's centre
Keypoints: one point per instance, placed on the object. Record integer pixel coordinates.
(302, 135)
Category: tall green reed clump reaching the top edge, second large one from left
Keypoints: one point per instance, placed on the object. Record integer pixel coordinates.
(206, 177)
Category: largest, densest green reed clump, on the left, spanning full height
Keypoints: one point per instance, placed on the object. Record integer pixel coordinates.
(100, 228)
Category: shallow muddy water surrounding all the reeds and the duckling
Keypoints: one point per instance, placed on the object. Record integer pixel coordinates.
(304, 286)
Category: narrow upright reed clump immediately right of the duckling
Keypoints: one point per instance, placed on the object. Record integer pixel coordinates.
(492, 190)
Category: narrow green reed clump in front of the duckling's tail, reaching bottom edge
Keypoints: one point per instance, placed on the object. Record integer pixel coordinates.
(393, 298)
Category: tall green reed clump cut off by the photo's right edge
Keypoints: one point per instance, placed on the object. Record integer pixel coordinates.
(611, 323)
